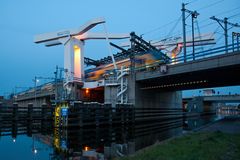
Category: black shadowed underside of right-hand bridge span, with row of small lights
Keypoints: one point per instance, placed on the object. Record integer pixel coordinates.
(228, 76)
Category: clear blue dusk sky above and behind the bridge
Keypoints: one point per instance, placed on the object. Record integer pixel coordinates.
(21, 59)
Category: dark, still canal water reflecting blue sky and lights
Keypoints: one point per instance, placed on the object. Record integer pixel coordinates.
(41, 141)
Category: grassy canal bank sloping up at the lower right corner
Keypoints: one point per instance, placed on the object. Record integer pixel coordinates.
(218, 141)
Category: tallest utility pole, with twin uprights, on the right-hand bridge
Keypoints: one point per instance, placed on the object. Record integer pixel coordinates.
(194, 15)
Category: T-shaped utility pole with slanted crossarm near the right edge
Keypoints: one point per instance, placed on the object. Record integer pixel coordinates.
(225, 28)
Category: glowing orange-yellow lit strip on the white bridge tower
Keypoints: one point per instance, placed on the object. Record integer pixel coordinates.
(77, 66)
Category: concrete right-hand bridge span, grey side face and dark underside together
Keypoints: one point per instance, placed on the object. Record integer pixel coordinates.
(194, 75)
